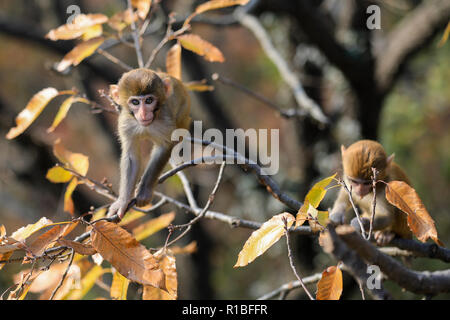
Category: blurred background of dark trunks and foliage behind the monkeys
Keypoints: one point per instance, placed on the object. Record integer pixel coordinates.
(389, 84)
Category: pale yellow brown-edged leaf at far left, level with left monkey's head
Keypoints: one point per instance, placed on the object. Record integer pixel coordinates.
(33, 109)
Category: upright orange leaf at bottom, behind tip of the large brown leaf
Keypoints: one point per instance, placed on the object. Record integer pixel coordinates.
(167, 263)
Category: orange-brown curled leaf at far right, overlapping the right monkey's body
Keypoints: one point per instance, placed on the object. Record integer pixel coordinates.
(404, 197)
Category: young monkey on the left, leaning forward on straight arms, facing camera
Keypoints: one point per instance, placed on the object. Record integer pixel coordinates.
(153, 105)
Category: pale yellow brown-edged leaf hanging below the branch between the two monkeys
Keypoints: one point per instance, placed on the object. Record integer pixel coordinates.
(263, 238)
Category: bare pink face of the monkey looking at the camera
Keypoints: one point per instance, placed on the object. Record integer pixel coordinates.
(144, 108)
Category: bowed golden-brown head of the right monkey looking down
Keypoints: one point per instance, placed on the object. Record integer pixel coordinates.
(358, 161)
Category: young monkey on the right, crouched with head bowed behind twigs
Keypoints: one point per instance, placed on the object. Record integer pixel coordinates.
(358, 161)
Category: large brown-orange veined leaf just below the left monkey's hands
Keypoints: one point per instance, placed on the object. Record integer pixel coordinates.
(126, 254)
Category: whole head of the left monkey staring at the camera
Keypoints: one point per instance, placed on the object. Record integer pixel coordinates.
(142, 93)
